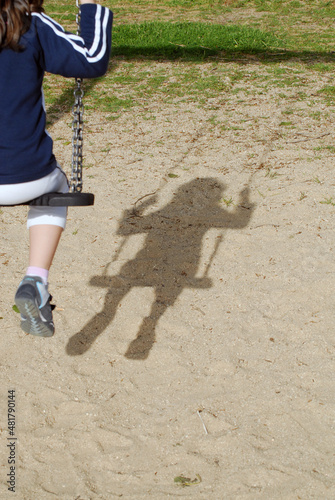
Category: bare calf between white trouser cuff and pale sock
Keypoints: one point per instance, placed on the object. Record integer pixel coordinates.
(44, 240)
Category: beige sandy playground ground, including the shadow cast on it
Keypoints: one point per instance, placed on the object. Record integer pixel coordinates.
(195, 311)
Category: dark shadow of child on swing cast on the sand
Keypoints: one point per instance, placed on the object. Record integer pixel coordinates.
(168, 261)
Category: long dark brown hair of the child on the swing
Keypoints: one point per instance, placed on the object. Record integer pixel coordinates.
(15, 20)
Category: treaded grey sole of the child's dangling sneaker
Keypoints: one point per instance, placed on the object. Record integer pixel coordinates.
(33, 324)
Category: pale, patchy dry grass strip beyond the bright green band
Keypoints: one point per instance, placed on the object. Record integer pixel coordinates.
(308, 24)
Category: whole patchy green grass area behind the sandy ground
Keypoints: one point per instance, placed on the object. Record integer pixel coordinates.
(200, 49)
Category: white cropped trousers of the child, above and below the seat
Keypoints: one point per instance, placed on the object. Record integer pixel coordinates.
(56, 181)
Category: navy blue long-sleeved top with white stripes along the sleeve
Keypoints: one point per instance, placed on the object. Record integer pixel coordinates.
(25, 146)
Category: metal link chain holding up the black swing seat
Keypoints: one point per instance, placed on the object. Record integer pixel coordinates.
(76, 182)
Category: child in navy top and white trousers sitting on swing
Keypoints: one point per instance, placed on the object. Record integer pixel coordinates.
(30, 44)
